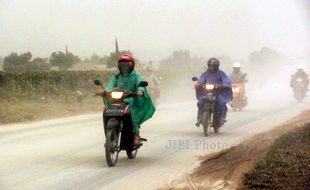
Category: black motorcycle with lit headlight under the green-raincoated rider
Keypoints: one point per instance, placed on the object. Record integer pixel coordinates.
(118, 126)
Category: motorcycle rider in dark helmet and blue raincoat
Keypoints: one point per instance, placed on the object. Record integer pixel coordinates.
(213, 75)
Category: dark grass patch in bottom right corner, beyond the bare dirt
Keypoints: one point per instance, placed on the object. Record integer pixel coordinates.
(286, 165)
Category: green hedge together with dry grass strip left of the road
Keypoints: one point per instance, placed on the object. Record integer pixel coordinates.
(30, 96)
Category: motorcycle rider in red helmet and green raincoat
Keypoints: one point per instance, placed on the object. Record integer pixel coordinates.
(142, 107)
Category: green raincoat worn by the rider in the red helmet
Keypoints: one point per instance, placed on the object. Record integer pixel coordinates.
(142, 107)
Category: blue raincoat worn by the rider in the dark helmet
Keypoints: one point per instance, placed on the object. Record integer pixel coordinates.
(223, 96)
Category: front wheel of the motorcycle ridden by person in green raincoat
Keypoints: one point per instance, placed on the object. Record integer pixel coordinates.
(111, 152)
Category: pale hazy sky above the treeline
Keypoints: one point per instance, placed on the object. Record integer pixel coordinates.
(153, 29)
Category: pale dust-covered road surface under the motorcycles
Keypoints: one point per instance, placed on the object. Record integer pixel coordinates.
(69, 153)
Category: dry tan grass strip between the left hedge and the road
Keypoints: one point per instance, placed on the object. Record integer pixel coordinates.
(23, 111)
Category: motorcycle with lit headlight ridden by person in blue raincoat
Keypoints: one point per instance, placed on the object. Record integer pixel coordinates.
(210, 117)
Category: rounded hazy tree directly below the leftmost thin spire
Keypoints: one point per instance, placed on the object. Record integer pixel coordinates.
(63, 61)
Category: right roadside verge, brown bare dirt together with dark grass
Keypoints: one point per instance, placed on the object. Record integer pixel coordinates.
(267, 162)
